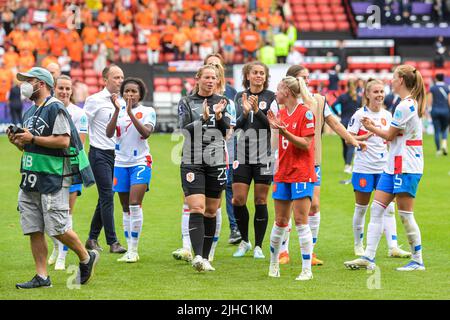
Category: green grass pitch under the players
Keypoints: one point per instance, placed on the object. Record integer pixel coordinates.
(158, 276)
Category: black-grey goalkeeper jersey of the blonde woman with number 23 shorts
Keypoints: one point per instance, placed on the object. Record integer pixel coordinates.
(204, 141)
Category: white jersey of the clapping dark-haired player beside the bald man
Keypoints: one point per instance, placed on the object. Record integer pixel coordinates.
(131, 148)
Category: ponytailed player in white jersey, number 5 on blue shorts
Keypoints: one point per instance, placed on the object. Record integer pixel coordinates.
(403, 171)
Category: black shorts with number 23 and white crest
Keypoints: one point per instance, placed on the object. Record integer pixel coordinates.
(203, 179)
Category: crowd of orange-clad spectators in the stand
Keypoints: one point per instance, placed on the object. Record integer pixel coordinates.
(37, 33)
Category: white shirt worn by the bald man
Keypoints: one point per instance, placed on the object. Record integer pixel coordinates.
(99, 110)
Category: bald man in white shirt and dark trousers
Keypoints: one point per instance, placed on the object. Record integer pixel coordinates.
(99, 109)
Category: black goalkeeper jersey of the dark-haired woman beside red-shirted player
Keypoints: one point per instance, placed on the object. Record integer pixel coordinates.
(253, 133)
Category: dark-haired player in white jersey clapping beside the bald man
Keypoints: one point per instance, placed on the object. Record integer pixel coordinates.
(132, 125)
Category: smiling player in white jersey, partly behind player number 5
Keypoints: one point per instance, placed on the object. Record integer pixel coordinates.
(368, 166)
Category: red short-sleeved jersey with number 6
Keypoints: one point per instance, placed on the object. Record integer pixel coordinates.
(295, 164)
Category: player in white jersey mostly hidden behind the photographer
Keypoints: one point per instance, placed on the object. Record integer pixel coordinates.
(63, 92)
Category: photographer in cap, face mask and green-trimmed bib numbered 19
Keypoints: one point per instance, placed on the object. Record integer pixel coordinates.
(53, 159)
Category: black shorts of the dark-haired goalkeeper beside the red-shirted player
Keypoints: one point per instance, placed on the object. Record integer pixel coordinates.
(244, 173)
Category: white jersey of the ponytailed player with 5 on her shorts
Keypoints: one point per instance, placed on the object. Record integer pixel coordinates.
(406, 151)
